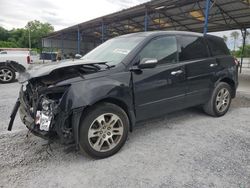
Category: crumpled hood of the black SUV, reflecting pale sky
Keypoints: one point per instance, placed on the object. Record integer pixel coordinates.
(46, 69)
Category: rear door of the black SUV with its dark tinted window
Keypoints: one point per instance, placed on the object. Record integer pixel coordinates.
(200, 68)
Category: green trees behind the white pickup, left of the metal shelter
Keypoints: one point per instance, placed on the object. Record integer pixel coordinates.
(20, 37)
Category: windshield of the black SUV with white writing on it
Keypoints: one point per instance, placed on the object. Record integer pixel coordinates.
(114, 50)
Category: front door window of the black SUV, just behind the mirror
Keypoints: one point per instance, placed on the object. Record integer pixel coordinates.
(164, 49)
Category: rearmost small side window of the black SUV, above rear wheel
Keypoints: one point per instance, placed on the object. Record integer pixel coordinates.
(217, 46)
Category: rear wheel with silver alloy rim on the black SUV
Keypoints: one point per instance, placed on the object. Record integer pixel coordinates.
(220, 100)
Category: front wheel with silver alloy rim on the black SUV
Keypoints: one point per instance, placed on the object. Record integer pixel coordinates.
(103, 130)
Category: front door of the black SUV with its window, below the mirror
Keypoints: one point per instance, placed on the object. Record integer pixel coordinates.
(161, 89)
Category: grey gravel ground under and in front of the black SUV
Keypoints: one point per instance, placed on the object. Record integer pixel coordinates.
(183, 149)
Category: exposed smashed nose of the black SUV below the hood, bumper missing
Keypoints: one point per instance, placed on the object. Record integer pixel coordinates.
(40, 111)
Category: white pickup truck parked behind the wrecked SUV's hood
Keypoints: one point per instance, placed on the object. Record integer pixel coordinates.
(15, 61)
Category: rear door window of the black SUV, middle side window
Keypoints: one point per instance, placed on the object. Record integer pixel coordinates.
(192, 48)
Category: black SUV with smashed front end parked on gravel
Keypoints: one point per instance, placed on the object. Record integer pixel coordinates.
(95, 101)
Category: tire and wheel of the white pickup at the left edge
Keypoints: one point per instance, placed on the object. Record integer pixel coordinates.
(7, 74)
